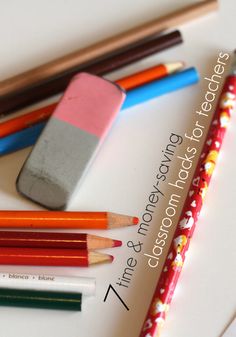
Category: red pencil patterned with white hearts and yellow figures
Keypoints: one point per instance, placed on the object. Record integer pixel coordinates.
(192, 207)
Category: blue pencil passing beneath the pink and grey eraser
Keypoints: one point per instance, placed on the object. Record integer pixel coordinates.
(29, 136)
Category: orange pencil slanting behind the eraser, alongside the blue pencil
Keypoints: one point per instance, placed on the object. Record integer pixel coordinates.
(128, 83)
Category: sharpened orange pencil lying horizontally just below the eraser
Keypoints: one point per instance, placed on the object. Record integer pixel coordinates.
(64, 220)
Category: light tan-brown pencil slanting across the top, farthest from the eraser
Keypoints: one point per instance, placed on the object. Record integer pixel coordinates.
(106, 46)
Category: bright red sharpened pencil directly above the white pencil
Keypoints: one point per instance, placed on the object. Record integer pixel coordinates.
(51, 257)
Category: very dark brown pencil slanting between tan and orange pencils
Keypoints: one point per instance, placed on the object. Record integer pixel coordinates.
(57, 84)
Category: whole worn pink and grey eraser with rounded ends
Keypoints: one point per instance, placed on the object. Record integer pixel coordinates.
(70, 140)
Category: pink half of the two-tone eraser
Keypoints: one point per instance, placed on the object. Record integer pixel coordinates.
(90, 104)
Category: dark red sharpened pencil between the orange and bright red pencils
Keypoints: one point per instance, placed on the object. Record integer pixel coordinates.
(55, 240)
